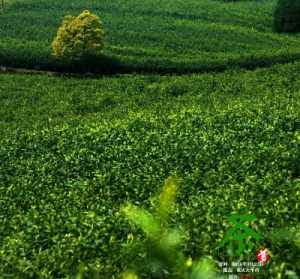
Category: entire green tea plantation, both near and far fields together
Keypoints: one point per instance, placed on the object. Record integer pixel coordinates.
(189, 96)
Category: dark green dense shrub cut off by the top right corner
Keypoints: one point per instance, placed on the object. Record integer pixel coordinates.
(287, 16)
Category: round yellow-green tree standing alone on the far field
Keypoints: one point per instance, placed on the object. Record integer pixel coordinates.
(79, 39)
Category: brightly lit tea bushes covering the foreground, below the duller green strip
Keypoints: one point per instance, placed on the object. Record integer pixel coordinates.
(61, 187)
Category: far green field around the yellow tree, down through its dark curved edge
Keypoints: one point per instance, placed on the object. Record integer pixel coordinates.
(179, 37)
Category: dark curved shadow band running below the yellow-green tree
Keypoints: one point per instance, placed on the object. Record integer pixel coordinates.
(109, 65)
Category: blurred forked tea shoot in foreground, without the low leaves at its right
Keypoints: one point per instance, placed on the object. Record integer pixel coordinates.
(161, 244)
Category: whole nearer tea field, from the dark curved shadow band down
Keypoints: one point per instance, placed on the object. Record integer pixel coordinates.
(61, 186)
